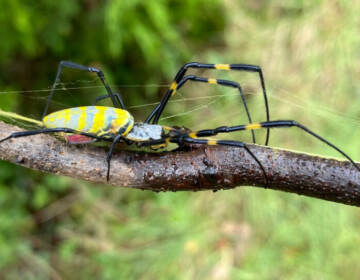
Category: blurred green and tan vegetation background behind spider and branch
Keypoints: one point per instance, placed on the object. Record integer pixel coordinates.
(54, 227)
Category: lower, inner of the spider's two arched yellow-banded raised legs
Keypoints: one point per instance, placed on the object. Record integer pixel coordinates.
(225, 83)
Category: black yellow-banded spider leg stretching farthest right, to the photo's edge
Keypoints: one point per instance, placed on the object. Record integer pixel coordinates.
(267, 125)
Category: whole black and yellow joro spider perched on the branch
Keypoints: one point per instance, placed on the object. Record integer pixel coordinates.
(92, 123)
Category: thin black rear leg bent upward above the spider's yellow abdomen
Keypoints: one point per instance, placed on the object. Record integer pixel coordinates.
(68, 64)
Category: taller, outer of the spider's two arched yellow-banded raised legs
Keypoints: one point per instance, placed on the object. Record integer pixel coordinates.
(181, 73)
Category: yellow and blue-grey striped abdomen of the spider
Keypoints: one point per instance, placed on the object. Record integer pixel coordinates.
(97, 120)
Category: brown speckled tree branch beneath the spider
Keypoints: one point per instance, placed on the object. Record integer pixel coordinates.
(202, 168)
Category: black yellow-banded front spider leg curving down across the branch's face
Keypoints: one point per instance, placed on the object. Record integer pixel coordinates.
(238, 144)
